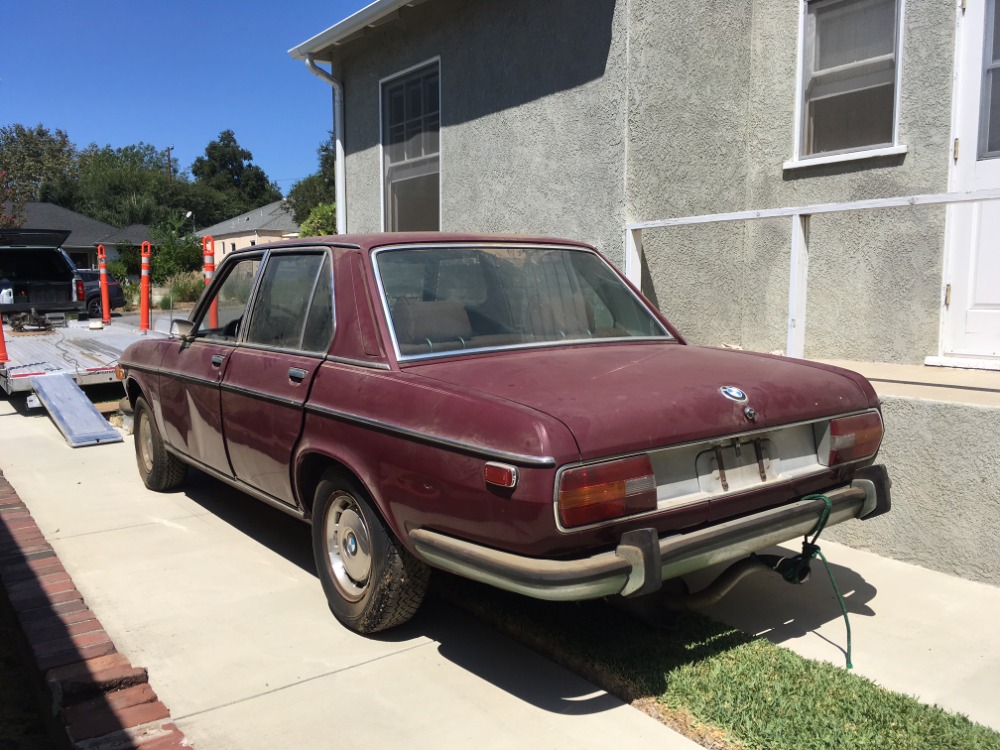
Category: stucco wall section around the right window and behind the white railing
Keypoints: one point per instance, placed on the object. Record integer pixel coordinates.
(712, 121)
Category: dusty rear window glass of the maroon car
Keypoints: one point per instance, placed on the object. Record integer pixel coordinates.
(450, 299)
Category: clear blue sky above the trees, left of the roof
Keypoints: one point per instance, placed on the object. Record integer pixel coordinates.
(172, 74)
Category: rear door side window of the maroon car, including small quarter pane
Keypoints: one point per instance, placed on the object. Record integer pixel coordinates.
(283, 301)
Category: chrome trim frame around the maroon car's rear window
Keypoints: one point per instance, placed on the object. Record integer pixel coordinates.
(488, 244)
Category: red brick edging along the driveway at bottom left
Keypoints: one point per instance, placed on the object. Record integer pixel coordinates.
(98, 697)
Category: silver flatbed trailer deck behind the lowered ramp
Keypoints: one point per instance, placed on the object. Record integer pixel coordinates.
(86, 355)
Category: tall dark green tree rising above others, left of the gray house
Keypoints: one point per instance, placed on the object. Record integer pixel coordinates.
(228, 168)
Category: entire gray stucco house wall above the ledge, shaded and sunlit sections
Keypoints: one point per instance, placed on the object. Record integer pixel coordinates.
(568, 123)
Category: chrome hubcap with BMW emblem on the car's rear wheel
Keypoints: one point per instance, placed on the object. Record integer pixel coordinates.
(348, 547)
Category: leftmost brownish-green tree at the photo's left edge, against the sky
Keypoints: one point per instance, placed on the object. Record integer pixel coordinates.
(34, 158)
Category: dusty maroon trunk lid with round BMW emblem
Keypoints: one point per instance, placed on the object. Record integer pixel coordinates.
(619, 398)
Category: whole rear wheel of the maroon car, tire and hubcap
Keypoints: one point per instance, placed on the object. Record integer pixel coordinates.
(371, 581)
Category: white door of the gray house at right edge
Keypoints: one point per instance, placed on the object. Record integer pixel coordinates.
(971, 324)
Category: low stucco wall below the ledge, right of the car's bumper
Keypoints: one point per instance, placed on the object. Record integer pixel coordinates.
(945, 466)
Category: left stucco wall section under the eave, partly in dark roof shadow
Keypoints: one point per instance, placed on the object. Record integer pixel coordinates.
(533, 111)
